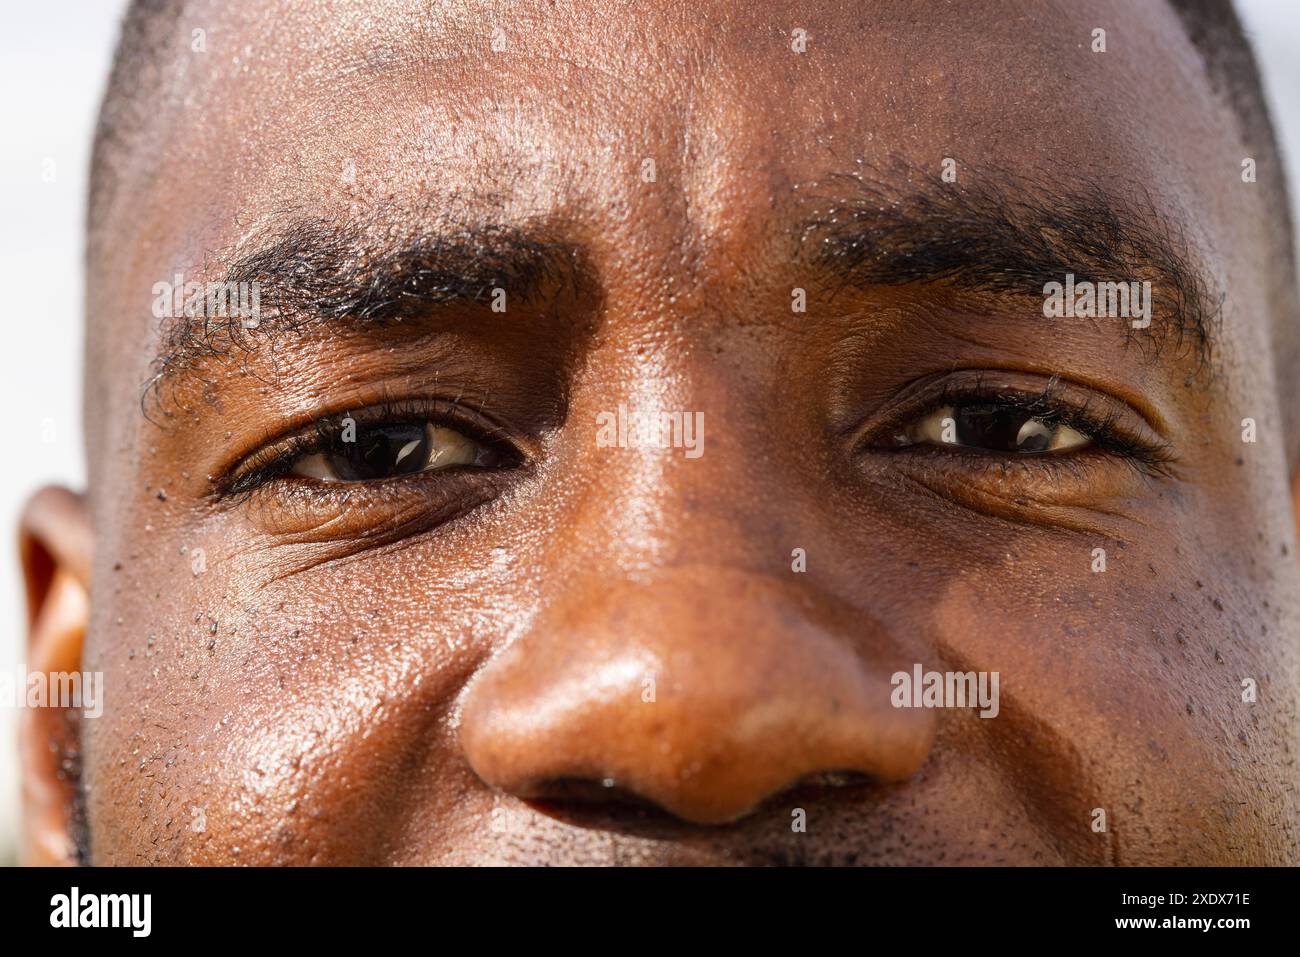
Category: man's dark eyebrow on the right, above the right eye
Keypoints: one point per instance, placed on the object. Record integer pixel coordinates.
(1007, 235)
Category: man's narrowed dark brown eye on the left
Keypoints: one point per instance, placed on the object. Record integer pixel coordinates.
(389, 451)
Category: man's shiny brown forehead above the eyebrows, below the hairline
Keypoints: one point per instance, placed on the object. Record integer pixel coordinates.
(561, 111)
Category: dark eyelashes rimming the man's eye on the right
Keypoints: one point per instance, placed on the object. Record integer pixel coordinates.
(1104, 427)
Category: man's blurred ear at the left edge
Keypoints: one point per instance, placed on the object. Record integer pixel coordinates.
(55, 551)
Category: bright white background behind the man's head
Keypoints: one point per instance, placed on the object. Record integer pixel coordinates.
(54, 62)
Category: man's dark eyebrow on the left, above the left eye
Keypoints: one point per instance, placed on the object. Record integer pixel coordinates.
(322, 271)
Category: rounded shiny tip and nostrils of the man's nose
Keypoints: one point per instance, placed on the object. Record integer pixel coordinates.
(703, 692)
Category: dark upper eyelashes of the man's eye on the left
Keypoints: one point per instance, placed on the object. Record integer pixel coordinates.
(274, 464)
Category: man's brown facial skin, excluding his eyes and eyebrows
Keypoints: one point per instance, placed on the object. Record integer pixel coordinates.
(323, 692)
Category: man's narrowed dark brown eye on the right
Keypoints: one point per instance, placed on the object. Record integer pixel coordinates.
(993, 427)
